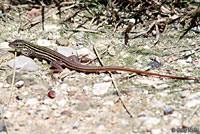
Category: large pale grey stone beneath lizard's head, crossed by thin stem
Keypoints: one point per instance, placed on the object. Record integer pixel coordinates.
(24, 63)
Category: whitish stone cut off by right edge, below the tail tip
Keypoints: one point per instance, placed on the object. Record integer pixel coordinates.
(193, 100)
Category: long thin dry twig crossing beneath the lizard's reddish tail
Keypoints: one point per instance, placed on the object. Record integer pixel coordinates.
(115, 85)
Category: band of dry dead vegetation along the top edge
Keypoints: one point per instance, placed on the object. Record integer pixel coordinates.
(152, 16)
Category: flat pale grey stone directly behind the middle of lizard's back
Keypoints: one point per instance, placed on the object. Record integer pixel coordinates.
(66, 51)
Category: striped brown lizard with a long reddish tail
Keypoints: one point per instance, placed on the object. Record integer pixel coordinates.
(59, 61)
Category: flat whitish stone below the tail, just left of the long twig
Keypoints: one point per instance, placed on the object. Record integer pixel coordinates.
(100, 89)
